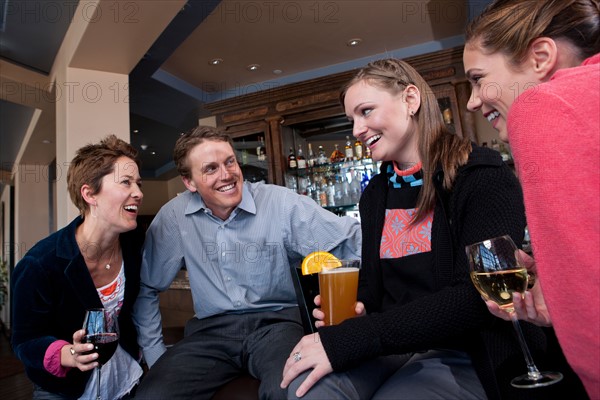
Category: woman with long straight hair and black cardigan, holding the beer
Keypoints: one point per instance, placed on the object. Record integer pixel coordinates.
(422, 331)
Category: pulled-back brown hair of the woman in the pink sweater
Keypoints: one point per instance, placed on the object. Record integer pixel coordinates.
(509, 26)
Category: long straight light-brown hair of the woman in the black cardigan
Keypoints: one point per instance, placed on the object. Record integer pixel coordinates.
(437, 146)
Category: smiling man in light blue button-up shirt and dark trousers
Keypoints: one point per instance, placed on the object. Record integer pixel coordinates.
(237, 241)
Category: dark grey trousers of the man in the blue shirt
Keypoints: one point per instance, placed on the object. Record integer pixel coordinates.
(216, 350)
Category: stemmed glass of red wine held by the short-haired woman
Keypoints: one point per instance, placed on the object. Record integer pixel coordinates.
(102, 330)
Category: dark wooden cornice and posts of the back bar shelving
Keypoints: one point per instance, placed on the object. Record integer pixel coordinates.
(318, 99)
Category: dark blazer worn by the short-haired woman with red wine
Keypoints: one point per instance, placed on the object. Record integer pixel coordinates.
(52, 288)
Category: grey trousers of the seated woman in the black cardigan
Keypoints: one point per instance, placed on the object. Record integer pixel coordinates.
(431, 375)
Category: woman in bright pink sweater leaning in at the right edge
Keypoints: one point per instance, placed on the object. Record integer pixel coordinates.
(535, 71)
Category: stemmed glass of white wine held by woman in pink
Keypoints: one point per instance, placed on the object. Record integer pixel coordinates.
(497, 274)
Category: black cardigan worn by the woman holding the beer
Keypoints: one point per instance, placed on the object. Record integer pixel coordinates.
(486, 201)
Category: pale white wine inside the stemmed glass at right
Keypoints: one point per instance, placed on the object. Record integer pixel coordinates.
(499, 286)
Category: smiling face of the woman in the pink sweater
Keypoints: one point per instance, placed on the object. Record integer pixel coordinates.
(495, 85)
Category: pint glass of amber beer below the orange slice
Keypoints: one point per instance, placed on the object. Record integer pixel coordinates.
(338, 287)
